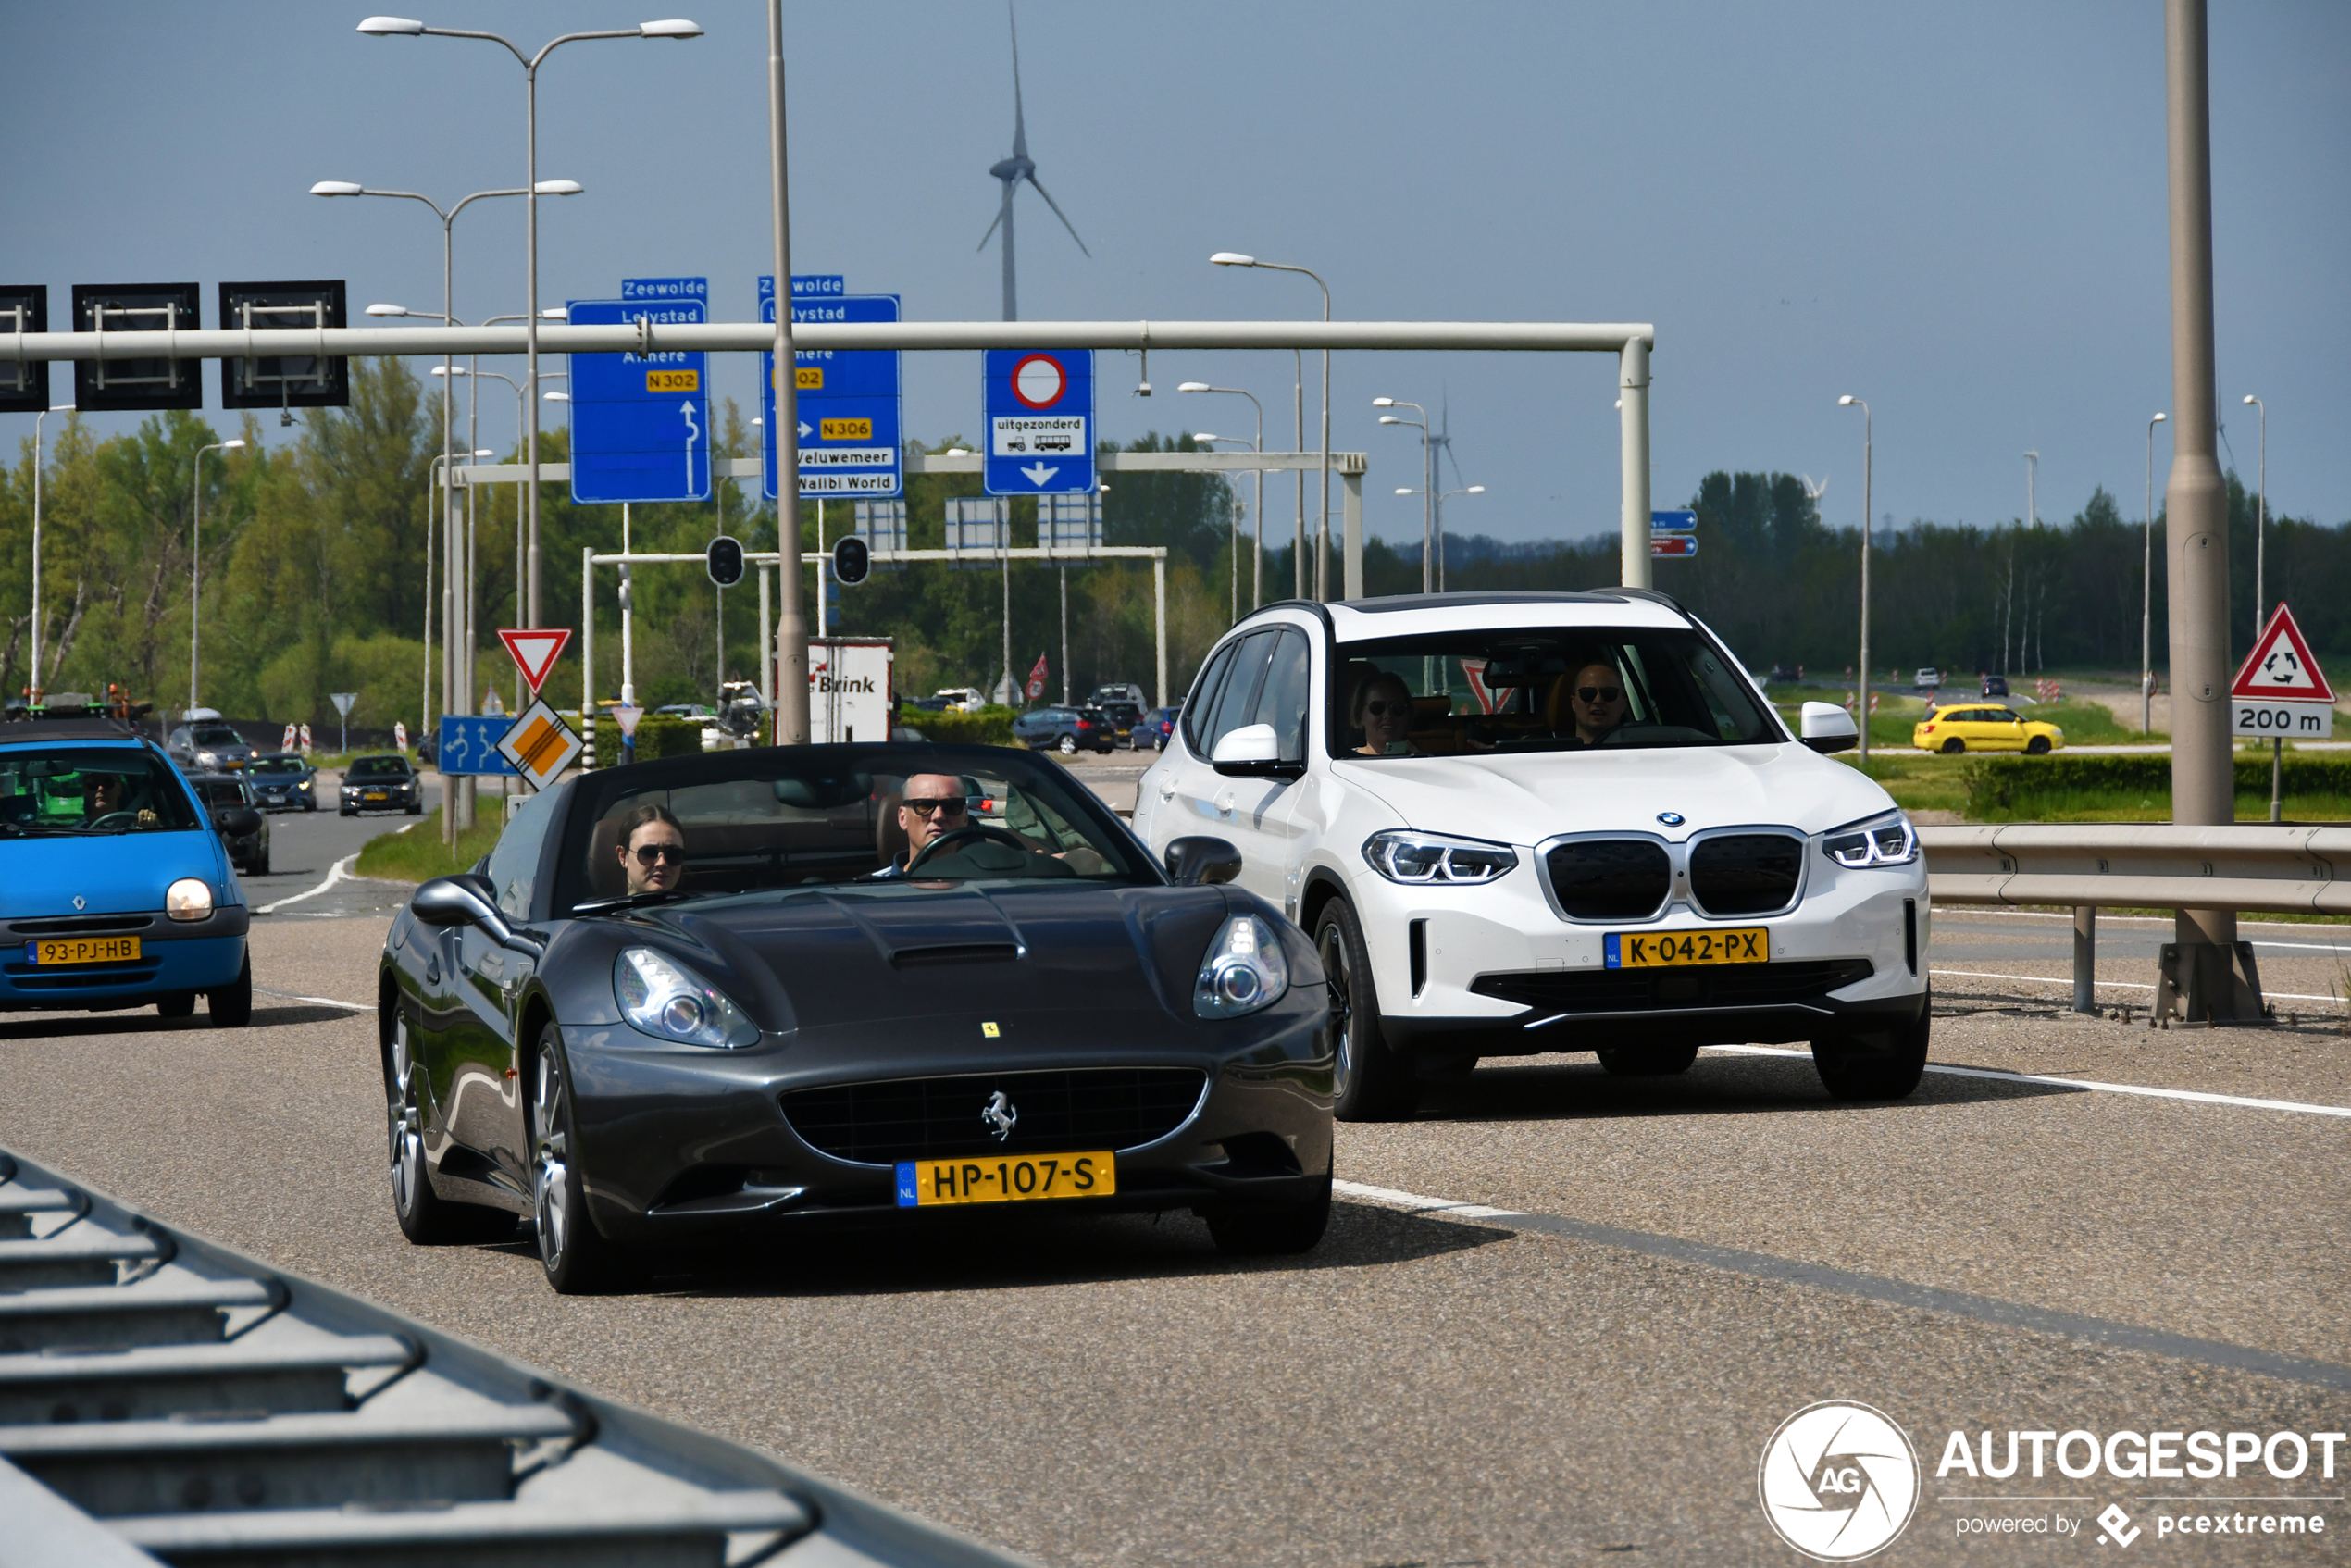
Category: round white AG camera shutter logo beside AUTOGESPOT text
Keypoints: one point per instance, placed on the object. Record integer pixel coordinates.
(1840, 1482)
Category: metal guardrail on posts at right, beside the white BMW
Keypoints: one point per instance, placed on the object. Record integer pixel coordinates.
(2152, 866)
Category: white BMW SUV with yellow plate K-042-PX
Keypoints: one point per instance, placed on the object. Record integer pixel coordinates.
(1553, 822)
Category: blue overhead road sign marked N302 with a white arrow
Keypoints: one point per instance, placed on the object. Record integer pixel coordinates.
(641, 424)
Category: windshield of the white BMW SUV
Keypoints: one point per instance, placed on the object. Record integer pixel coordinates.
(1541, 690)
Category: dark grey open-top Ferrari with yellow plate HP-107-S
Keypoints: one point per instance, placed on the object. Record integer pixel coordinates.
(831, 1019)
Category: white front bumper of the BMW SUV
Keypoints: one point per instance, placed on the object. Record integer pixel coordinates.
(1494, 970)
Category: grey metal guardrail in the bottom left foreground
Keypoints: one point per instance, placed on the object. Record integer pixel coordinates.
(166, 1400)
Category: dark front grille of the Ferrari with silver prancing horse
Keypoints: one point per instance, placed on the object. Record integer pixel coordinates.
(1076, 1108)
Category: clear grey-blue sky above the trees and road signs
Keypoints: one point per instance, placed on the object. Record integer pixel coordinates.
(1957, 213)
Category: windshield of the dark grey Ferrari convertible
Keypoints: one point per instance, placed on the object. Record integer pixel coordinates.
(826, 815)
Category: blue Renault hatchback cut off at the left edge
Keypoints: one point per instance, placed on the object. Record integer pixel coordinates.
(114, 883)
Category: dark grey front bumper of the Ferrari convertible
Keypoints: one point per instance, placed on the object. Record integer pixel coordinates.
(681, 1144)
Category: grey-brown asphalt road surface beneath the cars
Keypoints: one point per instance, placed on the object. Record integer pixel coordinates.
(1593, 1374)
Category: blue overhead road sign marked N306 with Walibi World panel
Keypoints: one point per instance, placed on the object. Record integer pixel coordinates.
(850, 401)
